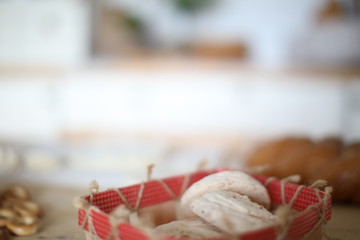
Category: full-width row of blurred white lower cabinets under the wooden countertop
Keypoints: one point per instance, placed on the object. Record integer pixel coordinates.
(179, 102)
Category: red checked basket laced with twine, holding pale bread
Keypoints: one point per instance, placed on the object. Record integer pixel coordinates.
(313, 208)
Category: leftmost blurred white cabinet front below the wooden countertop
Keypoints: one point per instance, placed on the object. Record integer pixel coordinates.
(27, 108)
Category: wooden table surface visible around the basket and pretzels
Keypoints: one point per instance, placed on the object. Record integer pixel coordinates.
(60, 220)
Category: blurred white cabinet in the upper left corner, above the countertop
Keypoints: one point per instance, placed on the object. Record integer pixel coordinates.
(44, 32)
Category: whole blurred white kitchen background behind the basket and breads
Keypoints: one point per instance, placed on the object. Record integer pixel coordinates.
(99, 89)
